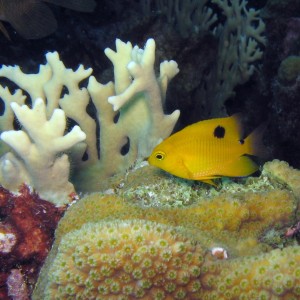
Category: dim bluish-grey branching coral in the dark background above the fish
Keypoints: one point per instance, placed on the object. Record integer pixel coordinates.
(239, 32)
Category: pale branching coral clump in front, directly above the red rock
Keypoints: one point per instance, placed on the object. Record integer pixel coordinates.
(36, 147)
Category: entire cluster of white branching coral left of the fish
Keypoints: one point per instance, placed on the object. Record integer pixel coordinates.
(129, 113)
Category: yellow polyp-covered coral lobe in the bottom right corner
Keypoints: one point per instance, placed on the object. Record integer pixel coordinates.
(274, 275)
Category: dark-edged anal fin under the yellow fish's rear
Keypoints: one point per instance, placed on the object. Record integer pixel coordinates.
(242, 166)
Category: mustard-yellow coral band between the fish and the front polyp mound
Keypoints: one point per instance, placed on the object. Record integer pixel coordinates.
(235, 219)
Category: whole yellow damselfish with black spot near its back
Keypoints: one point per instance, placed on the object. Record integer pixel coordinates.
(209, 149)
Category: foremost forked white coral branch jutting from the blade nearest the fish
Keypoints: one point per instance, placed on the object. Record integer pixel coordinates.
(141, 69)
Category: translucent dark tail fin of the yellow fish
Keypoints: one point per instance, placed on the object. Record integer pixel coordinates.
(254, 142)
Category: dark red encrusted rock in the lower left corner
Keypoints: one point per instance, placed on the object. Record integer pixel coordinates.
(26, 233)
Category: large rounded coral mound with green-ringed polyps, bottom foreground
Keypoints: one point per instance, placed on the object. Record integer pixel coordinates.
(129, 259)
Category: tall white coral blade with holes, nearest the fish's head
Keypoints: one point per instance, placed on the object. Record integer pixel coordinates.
(138, 96)
